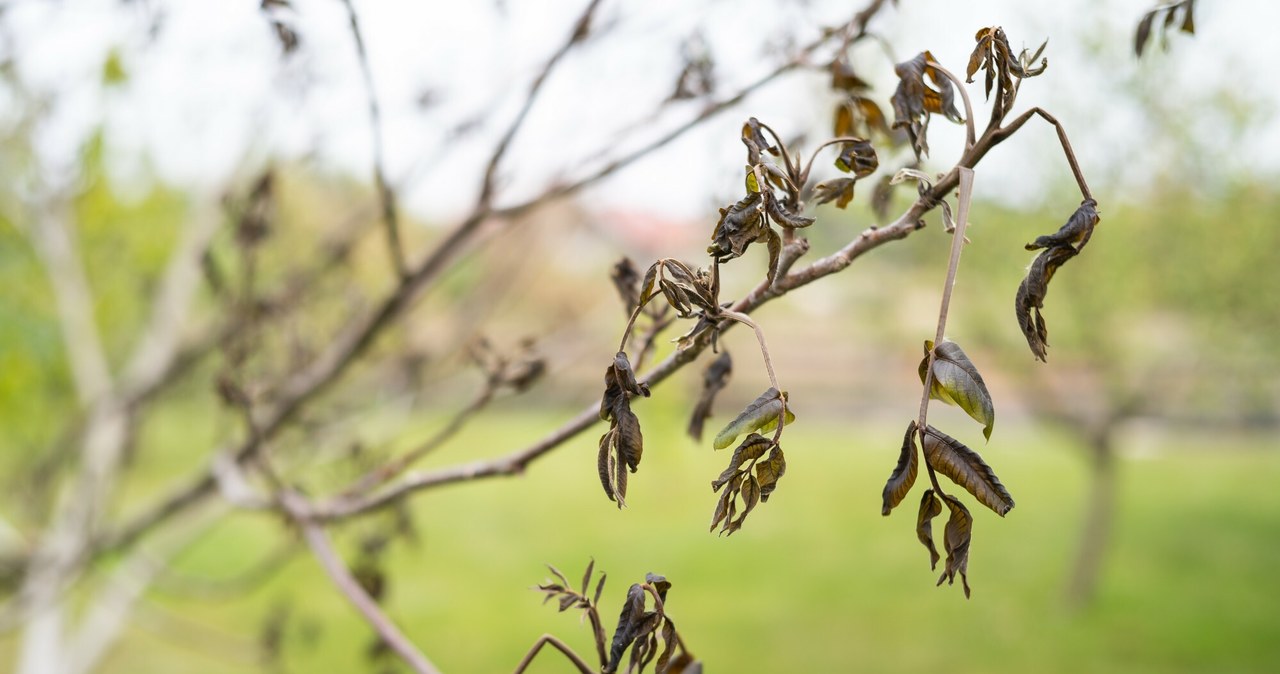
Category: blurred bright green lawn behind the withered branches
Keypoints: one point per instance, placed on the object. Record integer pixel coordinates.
(817, 581)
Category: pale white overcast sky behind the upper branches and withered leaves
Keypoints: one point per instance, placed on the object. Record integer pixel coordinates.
(208, 98)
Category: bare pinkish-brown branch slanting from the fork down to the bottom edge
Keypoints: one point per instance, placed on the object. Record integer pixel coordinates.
(351, 589)
